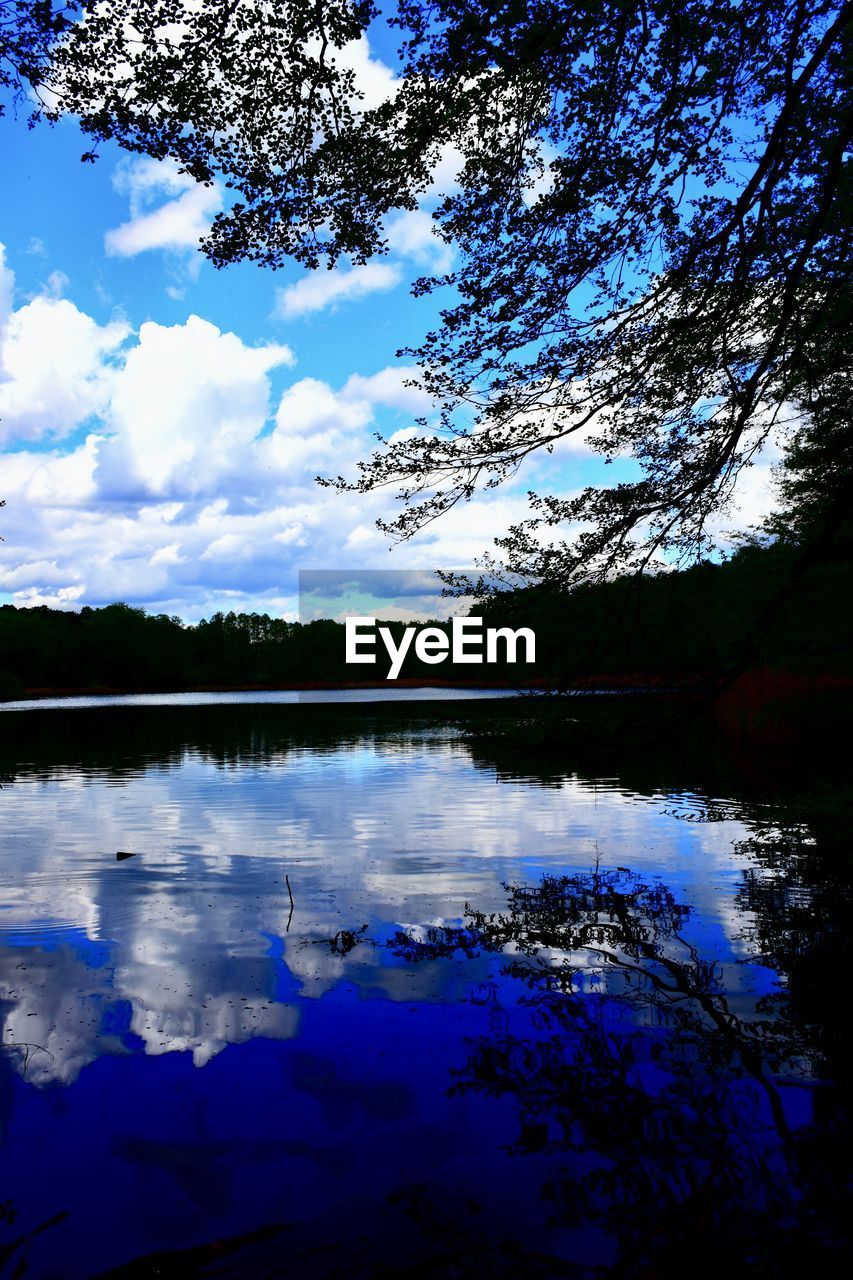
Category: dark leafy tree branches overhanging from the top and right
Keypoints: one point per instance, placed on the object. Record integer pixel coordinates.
(651, 220)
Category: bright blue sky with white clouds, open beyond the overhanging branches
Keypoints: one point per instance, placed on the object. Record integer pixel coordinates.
(162, 423)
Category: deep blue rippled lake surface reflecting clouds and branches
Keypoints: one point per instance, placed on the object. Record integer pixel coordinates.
(313, 991)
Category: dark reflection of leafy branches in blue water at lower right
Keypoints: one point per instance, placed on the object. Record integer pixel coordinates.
(685, 1108)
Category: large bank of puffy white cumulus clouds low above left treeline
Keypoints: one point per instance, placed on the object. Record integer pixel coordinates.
(195, 488)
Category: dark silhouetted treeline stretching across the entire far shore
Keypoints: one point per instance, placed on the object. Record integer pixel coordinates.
(764, 606)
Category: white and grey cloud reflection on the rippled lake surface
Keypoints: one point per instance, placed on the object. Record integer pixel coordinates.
(381, 834)
